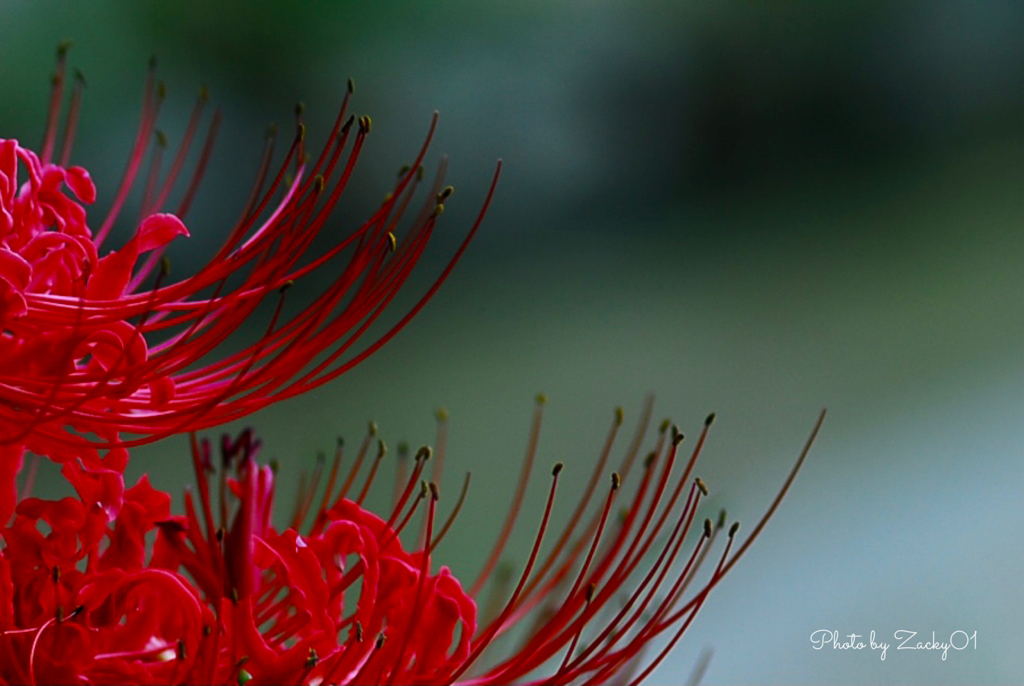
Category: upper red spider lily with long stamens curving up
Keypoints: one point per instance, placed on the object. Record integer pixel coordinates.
(89, 353)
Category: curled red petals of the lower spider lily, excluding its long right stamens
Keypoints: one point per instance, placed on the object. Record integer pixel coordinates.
(83, 602)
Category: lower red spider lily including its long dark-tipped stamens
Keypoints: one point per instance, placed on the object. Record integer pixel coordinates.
(238, 603)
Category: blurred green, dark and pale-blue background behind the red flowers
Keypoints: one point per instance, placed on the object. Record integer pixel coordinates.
(759, 209)
